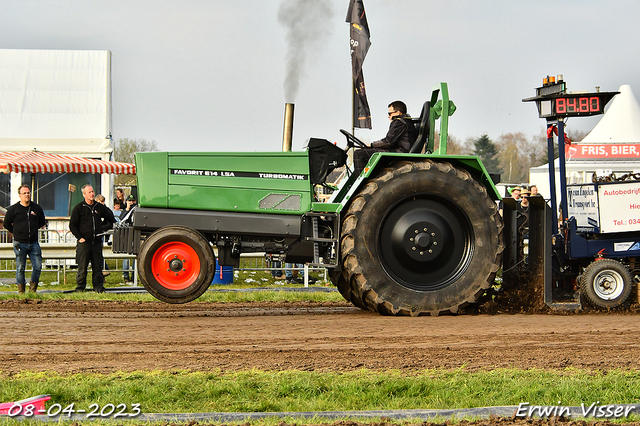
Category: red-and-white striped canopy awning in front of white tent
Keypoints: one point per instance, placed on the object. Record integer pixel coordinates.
(42, 162)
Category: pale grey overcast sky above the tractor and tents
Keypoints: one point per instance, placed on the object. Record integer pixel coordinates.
(209, 75)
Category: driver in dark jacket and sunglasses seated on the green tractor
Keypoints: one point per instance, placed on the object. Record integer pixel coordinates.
(400, 137)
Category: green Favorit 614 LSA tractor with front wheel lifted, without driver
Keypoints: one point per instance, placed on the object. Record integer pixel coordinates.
(413, 234)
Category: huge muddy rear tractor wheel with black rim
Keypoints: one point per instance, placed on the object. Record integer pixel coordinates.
(420, 238)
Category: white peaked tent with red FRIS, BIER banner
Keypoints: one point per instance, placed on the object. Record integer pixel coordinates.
(613, 146)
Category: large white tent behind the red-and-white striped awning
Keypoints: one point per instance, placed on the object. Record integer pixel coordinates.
(58, 102)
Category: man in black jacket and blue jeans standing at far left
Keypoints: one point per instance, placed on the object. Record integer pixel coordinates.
(23, 219)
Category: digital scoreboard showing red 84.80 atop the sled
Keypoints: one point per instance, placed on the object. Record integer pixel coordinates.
(553, 101)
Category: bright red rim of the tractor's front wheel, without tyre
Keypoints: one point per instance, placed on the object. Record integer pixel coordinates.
(175, 265)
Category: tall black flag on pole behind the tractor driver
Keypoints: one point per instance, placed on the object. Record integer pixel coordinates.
(360, 44)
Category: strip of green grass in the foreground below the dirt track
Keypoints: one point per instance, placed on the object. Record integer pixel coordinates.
(295, 391)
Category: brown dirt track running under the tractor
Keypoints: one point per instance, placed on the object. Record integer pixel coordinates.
(72, 336)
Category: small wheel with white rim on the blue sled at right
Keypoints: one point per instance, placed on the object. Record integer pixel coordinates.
(606, 283)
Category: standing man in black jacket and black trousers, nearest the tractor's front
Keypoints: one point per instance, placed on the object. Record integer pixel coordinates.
(89, 219)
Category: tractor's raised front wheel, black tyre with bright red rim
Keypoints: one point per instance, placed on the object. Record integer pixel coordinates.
(176, 264)
